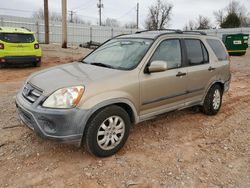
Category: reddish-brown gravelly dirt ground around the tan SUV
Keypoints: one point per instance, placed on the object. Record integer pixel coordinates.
(179, 149)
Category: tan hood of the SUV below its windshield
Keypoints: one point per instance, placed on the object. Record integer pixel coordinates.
(74, 74)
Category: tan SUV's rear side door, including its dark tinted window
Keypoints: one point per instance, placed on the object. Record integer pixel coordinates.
(200, 70)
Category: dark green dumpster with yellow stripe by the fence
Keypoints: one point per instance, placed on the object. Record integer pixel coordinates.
(236, 44)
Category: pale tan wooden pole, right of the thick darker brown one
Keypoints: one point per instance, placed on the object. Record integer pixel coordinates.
(64, 23)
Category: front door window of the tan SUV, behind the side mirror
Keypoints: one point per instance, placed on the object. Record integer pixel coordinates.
(169, 51)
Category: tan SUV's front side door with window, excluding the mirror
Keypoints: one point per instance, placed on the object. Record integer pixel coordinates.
(162, 91)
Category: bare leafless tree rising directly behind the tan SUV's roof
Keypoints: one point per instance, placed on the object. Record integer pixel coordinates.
(159, 15)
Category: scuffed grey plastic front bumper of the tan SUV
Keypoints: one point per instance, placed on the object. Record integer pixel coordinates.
(62, 125)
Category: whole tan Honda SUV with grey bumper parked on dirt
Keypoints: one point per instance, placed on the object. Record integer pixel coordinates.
(129, 79)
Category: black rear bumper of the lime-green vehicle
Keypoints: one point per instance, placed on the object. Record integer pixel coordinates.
(20, 59)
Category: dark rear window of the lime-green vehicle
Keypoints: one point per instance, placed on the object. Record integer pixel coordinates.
(17, 38)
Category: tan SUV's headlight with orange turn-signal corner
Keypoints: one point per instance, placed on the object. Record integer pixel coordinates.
(64, 98)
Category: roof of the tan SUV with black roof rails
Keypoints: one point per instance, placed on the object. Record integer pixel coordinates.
(157, 33)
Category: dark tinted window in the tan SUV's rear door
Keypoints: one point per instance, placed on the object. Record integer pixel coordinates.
(196, 52)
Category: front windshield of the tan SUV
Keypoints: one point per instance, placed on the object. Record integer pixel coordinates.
(123, 54)
